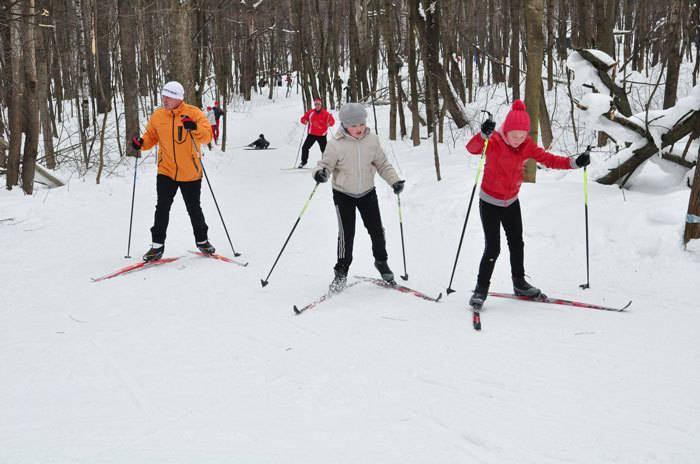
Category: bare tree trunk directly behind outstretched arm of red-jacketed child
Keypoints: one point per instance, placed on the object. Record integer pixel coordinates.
(533, 79)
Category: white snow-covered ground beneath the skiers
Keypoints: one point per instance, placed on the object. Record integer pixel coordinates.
(194, 362)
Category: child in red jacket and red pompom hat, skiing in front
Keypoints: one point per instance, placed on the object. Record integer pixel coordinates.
(506, 153)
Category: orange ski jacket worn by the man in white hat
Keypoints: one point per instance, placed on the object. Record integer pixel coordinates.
(177, 157)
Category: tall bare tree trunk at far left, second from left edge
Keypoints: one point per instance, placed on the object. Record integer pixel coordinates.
(31, 142)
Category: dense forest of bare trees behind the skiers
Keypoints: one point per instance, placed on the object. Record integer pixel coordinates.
(76, 60)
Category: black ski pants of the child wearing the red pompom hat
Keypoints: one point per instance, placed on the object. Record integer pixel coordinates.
(492, 217)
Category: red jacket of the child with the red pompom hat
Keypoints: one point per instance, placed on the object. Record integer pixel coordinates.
(503, 173)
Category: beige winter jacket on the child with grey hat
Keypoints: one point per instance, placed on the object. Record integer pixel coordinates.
(353, 162)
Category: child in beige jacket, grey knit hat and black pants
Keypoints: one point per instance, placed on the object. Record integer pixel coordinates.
(353, 157)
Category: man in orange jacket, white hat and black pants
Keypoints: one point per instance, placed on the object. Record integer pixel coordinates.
(173, 128)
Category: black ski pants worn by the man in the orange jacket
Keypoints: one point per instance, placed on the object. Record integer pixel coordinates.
(191, 191)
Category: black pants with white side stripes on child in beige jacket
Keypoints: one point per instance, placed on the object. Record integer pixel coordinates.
(368, 206)
